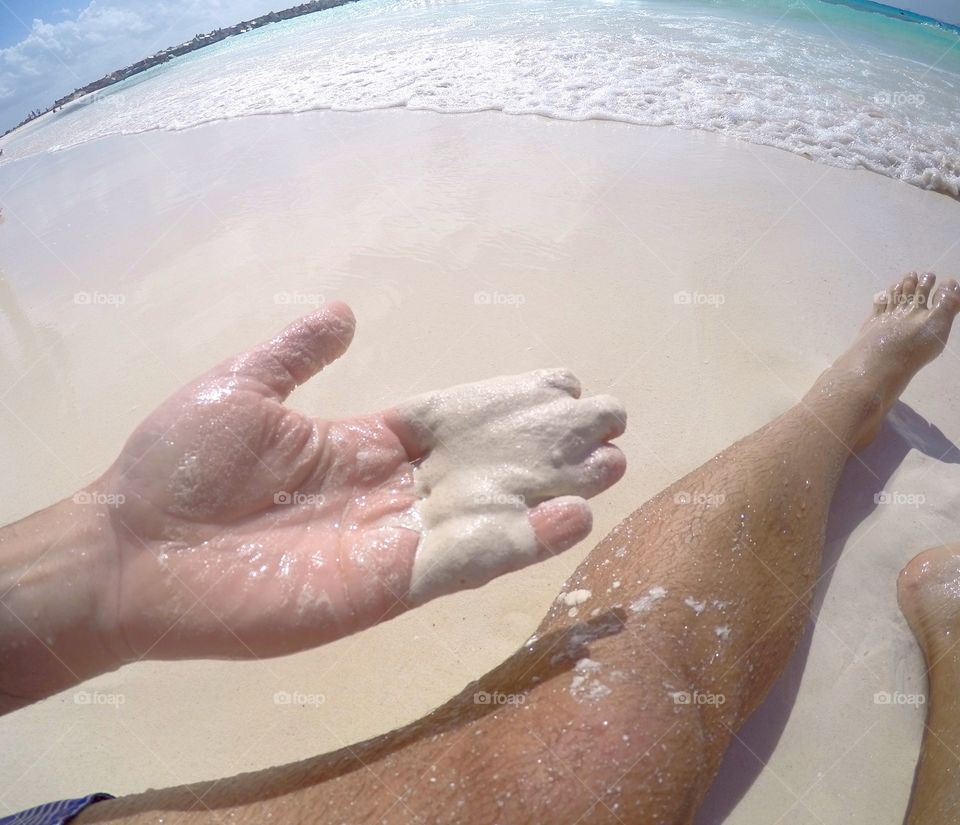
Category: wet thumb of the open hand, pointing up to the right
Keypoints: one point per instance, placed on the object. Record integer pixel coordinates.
(298, 353)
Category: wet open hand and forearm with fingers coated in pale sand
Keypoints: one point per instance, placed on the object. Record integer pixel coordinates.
(232, 526)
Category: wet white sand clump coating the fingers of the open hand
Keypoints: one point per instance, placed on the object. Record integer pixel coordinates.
(474, 489)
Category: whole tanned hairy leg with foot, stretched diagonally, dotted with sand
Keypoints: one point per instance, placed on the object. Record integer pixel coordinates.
(662, 643)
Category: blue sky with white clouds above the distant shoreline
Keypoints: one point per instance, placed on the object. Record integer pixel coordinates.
(50, 47)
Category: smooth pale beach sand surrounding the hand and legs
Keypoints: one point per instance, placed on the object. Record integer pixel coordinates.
(577, 235)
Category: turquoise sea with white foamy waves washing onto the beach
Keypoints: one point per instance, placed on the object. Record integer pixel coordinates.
(823, 79)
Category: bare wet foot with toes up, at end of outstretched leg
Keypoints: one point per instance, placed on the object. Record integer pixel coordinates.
(907, 329)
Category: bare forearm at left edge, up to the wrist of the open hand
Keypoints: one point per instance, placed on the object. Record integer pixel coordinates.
(56, 602)
